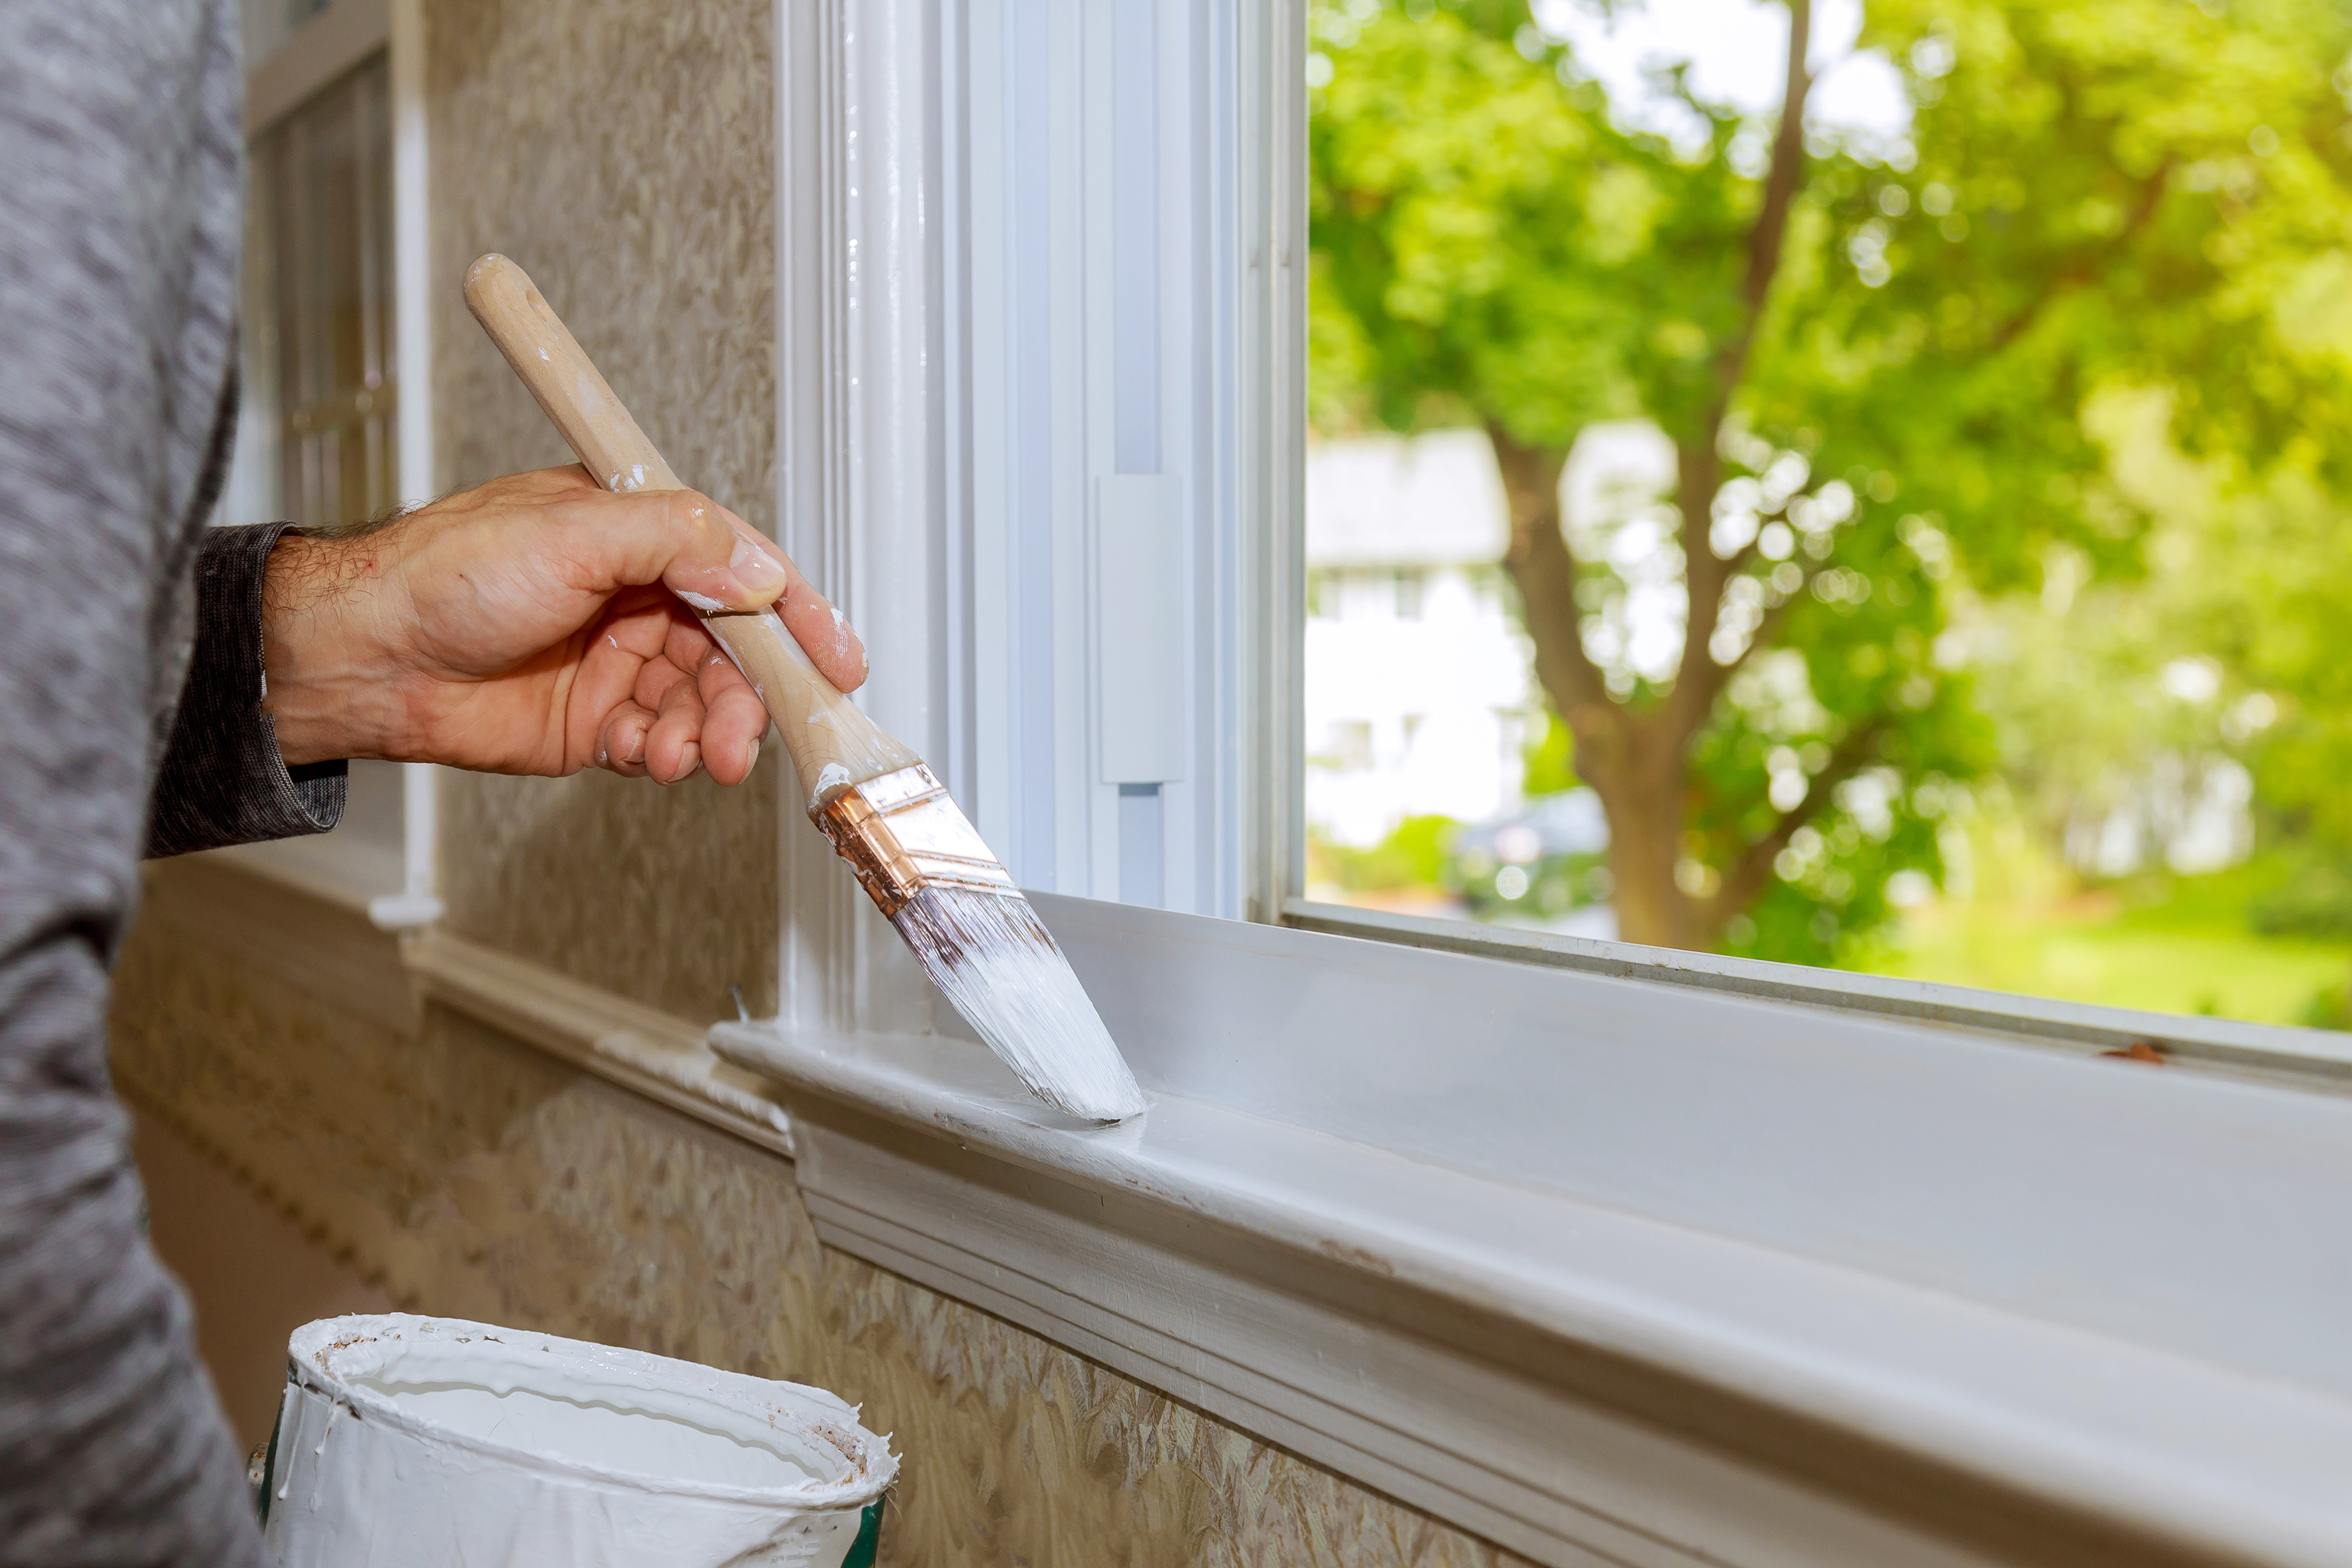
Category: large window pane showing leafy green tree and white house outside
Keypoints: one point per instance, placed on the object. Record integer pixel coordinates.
(1899, 530)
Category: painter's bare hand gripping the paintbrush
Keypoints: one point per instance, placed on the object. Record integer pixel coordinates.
(533, 626)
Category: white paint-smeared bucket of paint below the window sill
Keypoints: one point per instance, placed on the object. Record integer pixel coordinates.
(436, 1445)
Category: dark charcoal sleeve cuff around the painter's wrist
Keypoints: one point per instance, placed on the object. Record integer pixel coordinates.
(222, 777)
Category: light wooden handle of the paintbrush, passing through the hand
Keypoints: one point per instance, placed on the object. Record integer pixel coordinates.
(831, 742)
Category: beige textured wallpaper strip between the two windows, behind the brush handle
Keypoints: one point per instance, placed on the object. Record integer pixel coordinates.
(620, 152)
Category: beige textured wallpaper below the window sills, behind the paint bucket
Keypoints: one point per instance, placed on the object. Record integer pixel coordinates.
(476, 1177)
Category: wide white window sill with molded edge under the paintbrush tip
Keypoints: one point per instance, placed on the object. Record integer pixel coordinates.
(1622, 1271)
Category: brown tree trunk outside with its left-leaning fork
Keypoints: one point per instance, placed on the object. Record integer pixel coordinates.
(1631, 760)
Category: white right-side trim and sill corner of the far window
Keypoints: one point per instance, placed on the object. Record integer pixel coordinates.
(279, 83)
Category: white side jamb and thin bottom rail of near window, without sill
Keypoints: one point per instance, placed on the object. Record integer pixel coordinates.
(909, 460)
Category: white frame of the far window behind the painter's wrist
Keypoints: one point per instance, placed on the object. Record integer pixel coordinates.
(286, 69)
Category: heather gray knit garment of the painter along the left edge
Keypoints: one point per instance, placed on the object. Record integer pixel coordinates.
(119, 281)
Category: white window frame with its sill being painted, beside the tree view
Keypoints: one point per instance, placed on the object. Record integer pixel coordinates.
(1605, 1254)
